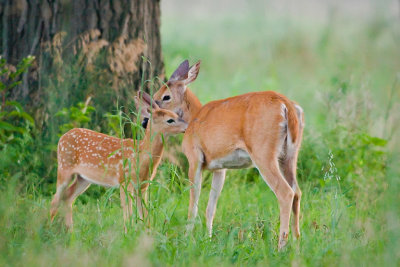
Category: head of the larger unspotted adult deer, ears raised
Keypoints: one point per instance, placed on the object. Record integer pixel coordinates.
(171, 95)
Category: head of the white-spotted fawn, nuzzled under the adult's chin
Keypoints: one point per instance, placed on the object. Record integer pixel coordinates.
(161, 120)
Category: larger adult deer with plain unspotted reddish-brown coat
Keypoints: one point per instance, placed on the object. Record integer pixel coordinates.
(261, 129)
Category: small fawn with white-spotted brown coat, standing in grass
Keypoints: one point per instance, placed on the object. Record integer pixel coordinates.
(96, 158)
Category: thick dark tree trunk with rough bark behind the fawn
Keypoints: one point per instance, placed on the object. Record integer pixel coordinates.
(62, 33)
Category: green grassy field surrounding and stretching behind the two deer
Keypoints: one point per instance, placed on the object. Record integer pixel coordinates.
(344, 72)
